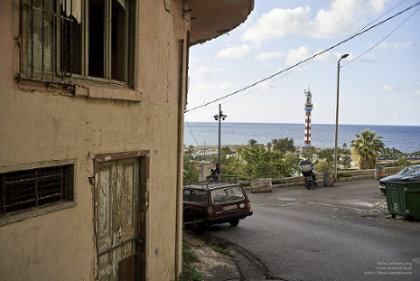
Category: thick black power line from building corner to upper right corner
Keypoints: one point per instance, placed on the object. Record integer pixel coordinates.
(364, 30)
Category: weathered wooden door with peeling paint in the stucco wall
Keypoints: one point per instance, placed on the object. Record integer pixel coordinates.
(117, 219)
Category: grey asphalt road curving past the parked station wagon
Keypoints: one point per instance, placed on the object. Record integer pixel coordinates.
(335, 233)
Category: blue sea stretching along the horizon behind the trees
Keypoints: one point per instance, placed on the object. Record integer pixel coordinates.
(403, 138)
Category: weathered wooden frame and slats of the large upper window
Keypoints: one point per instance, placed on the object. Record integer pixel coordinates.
(56, 75)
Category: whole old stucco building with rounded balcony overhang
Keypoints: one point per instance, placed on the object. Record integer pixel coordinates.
(92, 95)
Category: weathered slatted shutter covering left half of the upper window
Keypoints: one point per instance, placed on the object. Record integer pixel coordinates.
(46, 40)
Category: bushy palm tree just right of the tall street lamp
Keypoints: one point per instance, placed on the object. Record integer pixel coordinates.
(366, 148)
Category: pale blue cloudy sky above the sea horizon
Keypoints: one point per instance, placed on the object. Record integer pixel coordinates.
(379, 80)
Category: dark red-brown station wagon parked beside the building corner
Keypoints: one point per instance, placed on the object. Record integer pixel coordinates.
(215, 202)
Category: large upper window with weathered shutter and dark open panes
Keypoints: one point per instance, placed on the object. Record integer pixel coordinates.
(67, 39)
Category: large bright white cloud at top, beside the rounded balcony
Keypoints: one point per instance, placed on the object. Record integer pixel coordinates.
(341, 18)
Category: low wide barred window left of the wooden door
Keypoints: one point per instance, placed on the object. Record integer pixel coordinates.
(35, 188)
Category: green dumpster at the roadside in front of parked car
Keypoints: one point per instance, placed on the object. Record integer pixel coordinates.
(403, 198)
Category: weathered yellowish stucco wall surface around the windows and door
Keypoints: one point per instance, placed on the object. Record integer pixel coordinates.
(39, 126)
